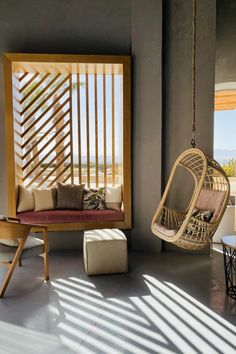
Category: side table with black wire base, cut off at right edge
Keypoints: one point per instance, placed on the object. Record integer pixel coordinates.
(229, 252)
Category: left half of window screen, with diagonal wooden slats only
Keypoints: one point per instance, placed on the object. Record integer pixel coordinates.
(43, 128)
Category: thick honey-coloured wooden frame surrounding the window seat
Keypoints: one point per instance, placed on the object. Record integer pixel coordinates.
(71, 61)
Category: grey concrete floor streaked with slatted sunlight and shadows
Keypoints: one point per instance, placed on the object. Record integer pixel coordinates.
(167, 303)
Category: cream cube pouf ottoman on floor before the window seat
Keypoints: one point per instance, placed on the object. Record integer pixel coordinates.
(105, 252)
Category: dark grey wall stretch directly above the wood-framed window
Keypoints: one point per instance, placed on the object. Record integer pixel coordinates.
(65, 26)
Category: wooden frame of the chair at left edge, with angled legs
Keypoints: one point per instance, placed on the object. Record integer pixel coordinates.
(12, 230)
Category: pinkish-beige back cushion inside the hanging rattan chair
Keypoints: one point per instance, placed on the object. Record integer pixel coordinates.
(211, 200)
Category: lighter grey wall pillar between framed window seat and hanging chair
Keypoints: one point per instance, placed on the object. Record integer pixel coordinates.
(147, 127)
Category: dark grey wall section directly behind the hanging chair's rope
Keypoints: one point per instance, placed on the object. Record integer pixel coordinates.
(177, 83)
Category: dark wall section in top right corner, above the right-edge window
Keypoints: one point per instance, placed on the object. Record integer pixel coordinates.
(225, 41)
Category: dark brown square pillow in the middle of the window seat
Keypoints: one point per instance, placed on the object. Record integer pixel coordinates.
(70, 196)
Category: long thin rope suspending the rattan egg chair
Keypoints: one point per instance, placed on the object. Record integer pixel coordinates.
(193, 141)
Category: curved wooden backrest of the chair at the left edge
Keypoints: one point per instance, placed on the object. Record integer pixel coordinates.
(13, 230)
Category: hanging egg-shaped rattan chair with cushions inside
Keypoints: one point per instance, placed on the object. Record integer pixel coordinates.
(211, 193)
